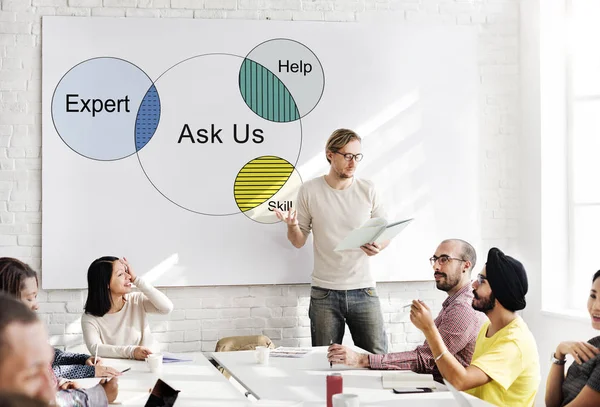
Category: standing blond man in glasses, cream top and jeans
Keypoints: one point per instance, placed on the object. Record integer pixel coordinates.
(343, 290)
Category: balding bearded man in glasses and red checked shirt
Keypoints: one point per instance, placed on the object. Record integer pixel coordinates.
(457, 322)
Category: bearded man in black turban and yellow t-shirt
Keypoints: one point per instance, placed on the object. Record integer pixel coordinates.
(505, 369)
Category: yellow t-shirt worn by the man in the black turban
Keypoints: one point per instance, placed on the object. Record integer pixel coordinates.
(511, 360)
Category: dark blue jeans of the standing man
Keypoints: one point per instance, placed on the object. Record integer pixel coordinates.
(360, 309)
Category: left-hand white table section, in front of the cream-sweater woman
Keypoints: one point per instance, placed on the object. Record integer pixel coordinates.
(200, 383)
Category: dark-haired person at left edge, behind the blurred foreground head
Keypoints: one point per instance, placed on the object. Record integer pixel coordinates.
(20, 281)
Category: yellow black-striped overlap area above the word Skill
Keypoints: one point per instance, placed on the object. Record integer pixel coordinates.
(259, 180)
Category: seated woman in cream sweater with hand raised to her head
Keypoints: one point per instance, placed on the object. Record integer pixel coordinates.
(115, 323)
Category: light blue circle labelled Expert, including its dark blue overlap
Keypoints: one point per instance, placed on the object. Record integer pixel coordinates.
(105, 108)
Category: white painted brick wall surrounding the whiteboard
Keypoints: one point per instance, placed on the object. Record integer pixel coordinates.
(204, 314)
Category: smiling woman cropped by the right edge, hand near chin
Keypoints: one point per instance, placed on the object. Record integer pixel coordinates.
(581, 386)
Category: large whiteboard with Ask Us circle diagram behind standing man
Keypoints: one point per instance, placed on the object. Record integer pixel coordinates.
(152, 126)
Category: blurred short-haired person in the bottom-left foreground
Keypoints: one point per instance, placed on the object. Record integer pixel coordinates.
(25, 358)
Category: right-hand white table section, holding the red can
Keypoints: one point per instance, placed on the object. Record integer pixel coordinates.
(303, 379)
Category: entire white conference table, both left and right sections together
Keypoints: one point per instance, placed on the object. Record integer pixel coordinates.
(283, 382)
